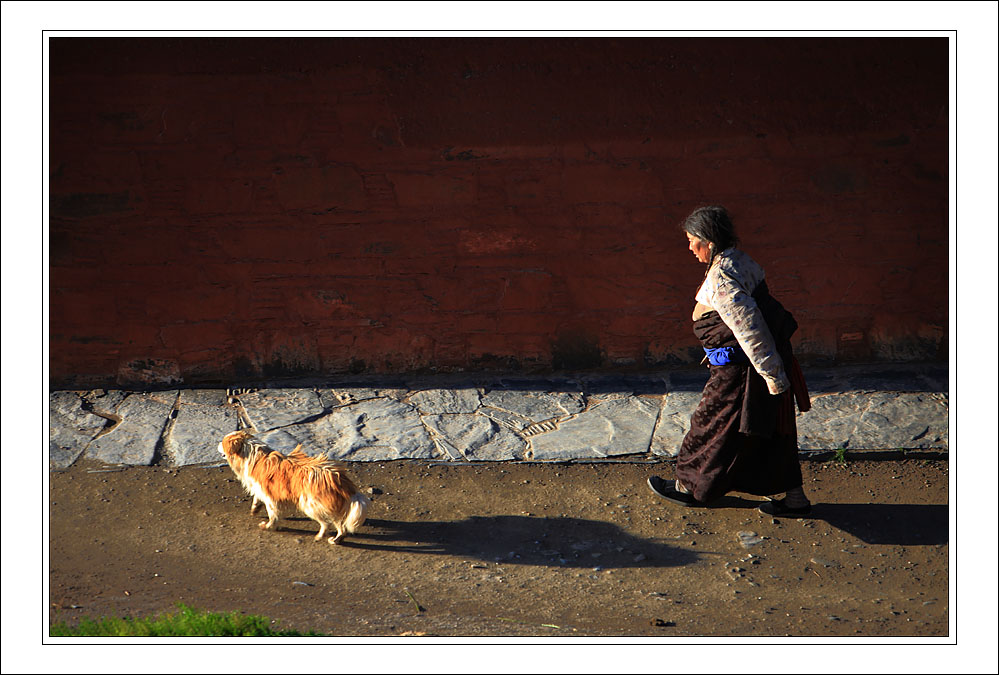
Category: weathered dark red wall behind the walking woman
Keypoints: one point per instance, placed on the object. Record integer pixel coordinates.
(223, 209)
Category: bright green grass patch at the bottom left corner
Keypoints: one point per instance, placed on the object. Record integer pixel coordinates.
(186, 622)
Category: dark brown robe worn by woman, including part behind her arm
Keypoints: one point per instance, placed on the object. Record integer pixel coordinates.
(742, 438)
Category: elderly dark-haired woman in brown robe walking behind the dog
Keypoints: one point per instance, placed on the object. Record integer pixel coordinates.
(742, 434)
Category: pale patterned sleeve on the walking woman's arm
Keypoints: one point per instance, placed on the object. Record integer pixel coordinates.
(740, 313)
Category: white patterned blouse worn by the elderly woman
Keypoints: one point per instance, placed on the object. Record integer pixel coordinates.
(728, 289)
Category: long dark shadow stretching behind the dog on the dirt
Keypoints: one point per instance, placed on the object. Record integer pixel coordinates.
(522, 540)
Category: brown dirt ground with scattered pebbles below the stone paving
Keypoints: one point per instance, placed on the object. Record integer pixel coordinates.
(531, 549)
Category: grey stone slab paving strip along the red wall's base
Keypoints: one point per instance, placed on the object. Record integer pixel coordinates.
(483, 418)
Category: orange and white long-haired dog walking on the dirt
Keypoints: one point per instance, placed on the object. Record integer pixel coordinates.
(316, 486)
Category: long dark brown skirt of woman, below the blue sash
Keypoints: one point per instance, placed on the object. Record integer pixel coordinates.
(716, 458)
